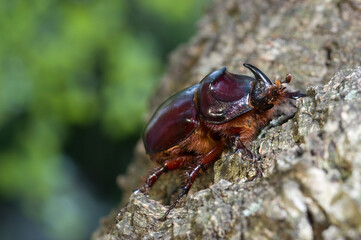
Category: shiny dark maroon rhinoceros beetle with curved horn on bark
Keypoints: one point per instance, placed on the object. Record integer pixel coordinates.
(194, 126)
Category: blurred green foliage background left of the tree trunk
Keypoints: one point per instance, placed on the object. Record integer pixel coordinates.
(75, 79)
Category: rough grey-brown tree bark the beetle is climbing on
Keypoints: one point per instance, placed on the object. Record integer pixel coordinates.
(312, 163)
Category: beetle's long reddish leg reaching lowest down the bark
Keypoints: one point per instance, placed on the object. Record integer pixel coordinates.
(209, 158)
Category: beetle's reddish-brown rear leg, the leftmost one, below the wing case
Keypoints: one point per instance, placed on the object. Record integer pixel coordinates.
(168, 165)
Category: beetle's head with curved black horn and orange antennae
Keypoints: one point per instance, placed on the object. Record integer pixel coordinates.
(264, 93)
